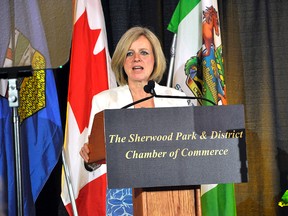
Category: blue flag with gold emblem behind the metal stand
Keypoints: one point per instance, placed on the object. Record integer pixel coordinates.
(41, 137)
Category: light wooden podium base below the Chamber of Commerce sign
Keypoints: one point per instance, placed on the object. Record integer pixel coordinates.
(182, 200)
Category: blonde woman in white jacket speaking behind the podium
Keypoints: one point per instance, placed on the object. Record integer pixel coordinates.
(138, 58)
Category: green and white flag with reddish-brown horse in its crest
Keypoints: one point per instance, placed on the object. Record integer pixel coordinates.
(198, 71)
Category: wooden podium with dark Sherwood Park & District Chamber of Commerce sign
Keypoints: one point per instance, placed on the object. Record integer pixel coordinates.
(164, 154)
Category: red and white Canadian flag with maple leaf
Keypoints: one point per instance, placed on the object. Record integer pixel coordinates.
(90, 74)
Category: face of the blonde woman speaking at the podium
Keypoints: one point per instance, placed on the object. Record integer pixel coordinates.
(139, 62)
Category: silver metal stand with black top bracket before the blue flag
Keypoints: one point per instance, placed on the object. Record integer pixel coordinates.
(12, 74)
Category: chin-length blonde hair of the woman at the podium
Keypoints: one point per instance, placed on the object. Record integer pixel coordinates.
(119, 56)
